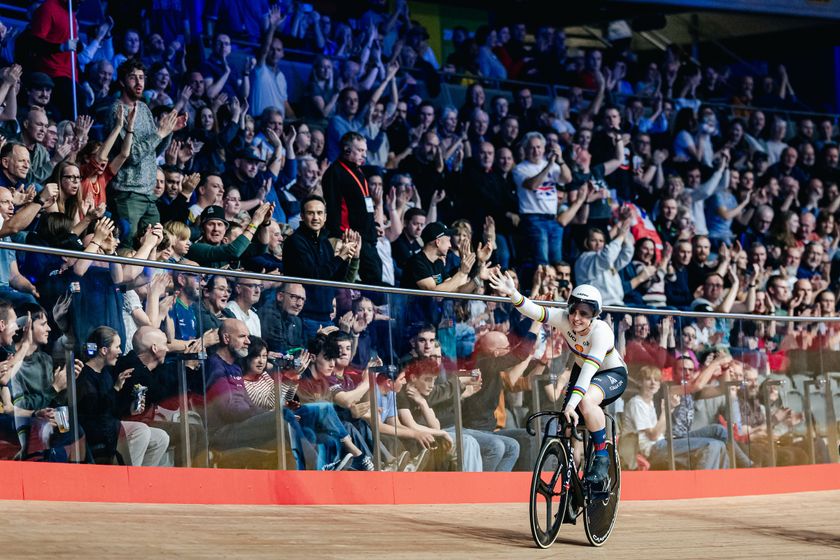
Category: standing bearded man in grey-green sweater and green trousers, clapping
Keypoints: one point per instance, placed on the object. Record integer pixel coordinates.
(132, 202)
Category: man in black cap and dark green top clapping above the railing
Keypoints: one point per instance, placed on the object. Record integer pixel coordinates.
(210, 250)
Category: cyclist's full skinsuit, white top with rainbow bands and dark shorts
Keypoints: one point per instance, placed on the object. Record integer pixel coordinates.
(597, 362)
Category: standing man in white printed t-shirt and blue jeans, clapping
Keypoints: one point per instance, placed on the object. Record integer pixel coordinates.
(537, 179)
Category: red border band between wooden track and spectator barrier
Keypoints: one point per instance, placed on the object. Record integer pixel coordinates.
(93, 483)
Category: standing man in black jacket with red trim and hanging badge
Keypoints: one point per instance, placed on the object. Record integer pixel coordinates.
(349, 205)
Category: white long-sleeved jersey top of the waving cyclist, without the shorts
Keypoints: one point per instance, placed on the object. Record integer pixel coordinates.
(594, 351)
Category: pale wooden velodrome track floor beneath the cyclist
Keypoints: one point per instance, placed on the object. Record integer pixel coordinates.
(786, 526)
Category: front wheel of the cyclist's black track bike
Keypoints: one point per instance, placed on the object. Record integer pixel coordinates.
(549, 493)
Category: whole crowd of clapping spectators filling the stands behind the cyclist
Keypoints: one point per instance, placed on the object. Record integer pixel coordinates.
(664, 183)
